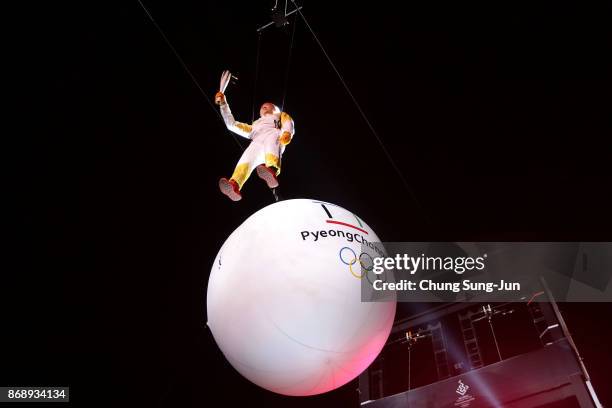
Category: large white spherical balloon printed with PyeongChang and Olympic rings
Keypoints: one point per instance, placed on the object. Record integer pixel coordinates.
(283, 304)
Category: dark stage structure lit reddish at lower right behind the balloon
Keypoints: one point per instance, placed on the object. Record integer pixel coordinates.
(472, 355)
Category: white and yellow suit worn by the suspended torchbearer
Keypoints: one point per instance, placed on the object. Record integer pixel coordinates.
(268, 140)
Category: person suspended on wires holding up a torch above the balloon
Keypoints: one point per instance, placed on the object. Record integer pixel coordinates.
(269, 135)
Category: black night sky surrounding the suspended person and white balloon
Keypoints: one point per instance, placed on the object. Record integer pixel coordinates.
(496, 113)
